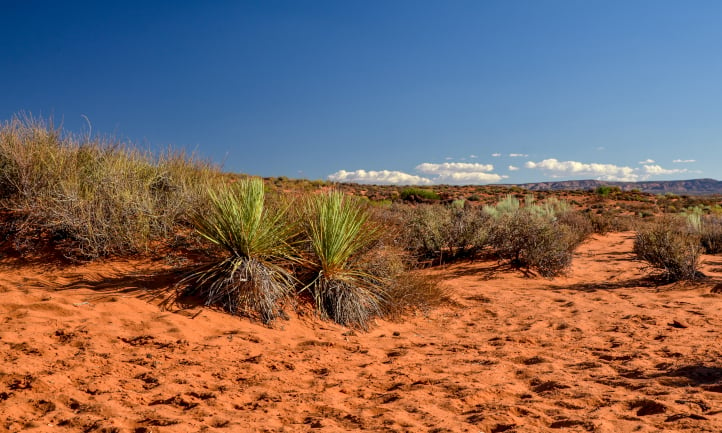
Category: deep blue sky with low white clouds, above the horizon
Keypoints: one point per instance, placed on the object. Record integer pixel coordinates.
(465, 92)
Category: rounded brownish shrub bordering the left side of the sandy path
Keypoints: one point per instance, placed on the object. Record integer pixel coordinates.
(534, 236)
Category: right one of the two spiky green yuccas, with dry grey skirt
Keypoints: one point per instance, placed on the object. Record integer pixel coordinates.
(338, 231)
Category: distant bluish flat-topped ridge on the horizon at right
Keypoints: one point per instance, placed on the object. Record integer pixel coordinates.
(681, 187)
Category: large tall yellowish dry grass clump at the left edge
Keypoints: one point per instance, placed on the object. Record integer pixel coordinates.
(92, 198)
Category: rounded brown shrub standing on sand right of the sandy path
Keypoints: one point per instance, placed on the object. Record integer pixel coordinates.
(671, 246)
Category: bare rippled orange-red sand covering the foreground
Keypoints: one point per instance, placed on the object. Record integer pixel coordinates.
(603, 349)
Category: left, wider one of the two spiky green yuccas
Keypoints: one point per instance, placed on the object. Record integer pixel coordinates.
(250, 280)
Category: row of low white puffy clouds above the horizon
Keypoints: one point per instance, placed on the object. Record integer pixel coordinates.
(465, 173)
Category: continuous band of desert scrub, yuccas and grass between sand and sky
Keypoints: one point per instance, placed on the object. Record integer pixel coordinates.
(351, 247)
